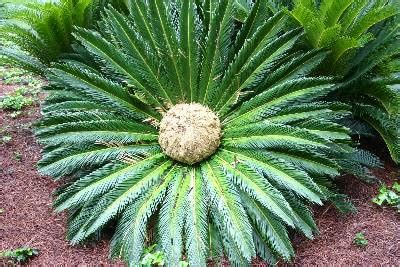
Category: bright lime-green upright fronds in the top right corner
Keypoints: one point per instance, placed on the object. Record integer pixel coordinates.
(342, 26)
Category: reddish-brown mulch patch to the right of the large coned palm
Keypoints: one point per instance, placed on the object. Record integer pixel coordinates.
(334, 245)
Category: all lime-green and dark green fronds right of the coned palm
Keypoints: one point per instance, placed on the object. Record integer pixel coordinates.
(362, 37)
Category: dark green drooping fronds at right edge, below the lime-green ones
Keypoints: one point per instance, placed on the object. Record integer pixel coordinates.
(372, 84)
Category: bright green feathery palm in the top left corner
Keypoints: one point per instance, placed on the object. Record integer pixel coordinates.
(36, 33)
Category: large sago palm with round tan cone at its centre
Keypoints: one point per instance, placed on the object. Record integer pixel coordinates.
(196, 128)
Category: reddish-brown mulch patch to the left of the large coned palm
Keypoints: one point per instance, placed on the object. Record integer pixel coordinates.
(26, 200)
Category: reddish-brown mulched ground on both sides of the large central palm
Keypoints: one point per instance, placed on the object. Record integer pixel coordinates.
(28, 219)
